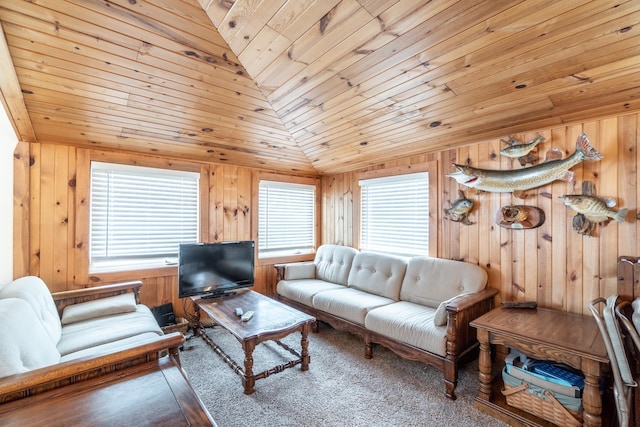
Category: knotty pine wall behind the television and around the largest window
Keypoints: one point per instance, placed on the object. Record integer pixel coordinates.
(52, 218)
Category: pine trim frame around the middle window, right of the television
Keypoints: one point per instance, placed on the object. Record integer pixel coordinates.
(266, 176)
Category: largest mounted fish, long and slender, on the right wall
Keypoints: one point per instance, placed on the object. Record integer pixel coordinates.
(504, 181)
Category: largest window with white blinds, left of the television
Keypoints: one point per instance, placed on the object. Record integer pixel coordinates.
(139, 216)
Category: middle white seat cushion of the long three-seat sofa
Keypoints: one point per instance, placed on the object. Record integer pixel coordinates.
(348, 303)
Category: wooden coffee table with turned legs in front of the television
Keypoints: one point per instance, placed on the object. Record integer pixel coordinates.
(272, 321)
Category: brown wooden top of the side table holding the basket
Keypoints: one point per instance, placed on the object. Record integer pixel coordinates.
(576, 332)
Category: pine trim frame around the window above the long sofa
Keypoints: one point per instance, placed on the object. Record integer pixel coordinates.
(431, 168)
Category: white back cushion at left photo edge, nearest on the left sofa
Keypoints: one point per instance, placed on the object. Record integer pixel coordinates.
(25, 344)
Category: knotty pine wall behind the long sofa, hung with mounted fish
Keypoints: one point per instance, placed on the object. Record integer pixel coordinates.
(552, 264)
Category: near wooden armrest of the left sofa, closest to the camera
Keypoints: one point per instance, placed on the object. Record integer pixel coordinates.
(18, 386)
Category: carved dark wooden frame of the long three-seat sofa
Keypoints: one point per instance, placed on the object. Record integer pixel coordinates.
(462, 342)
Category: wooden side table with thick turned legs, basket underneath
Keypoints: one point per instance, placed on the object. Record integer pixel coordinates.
(542, 334)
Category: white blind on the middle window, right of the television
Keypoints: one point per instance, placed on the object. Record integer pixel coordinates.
(286, 218)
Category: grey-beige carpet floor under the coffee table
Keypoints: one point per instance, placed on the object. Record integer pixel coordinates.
(341, 388)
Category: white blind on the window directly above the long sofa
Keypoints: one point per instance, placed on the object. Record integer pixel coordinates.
(395, 214)
